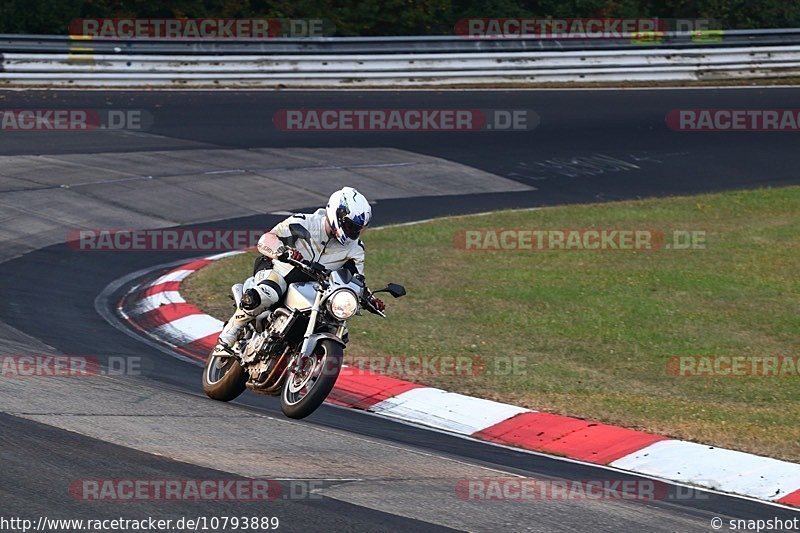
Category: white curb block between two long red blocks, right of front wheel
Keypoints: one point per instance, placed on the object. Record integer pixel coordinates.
(446, 410)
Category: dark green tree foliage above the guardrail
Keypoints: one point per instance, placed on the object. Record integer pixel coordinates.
(393, 17)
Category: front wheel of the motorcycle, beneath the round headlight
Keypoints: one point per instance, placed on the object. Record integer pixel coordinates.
(305, 391)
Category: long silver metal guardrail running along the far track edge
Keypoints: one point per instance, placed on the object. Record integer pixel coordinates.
(343, 62)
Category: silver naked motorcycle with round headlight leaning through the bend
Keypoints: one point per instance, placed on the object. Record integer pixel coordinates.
(296, 348)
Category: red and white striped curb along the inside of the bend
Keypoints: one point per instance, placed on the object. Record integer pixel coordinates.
(157, 309)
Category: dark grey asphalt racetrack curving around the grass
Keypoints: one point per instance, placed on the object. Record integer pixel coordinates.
(376, 474)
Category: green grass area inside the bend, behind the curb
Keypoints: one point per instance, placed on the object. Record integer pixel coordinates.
(596, 328)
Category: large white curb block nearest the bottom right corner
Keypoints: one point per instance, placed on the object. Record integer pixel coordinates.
(717, 468)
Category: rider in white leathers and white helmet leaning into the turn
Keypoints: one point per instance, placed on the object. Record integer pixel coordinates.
(334, 243)
